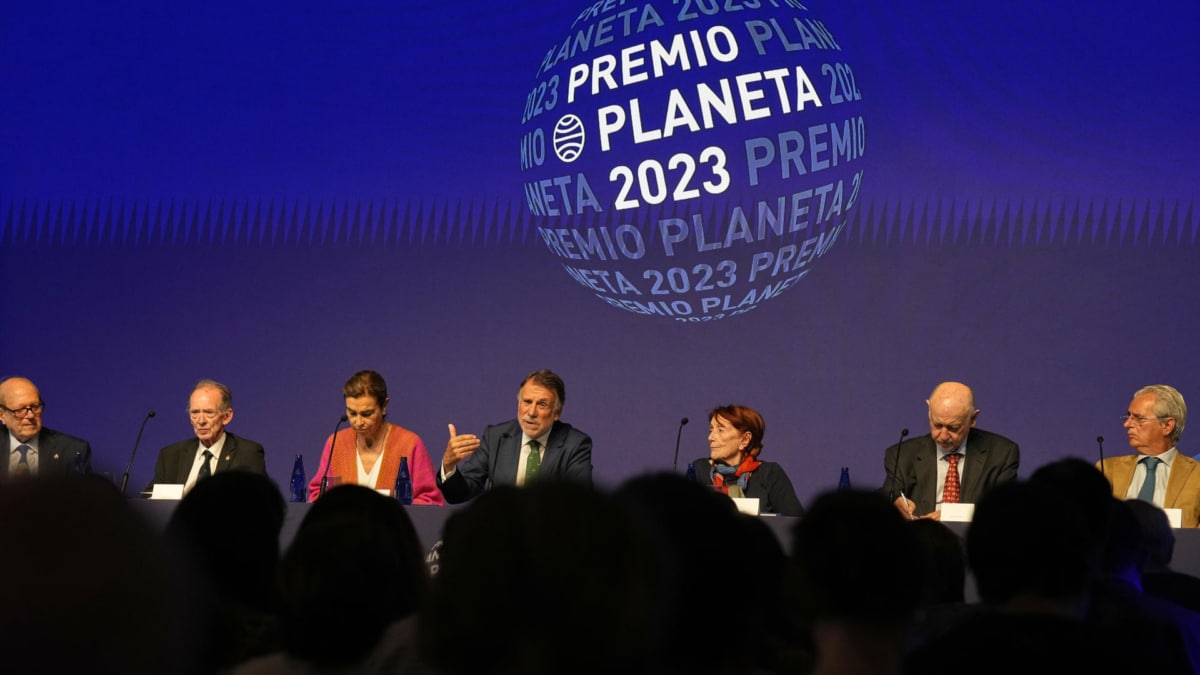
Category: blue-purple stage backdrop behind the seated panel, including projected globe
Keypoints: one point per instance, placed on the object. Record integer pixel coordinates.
(817, 210)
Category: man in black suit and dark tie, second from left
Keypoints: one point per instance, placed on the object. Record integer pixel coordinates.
(213, 450)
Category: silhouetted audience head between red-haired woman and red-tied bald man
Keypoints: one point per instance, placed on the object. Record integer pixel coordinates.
(856, 561)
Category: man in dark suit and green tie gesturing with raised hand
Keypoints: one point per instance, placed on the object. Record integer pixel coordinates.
(513, 453)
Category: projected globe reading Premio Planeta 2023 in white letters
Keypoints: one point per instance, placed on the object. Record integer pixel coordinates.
(692, 160)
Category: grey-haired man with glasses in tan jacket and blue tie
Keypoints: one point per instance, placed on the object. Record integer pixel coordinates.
(1159, 474)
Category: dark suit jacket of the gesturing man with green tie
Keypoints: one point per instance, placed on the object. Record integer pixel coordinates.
(568, 456)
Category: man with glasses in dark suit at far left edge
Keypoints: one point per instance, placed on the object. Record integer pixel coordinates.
(29, 449)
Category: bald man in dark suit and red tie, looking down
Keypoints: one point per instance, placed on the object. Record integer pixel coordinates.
(955, 463)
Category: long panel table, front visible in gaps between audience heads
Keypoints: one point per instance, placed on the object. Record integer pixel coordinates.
(430, 519)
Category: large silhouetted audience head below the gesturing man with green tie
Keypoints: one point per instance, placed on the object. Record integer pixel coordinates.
(548, 580)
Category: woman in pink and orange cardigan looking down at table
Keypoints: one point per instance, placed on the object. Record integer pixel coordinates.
(369, 452)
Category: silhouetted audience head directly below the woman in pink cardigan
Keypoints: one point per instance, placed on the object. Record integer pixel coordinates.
(355, 568)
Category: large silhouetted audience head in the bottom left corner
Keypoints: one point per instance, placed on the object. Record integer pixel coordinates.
(88, 588)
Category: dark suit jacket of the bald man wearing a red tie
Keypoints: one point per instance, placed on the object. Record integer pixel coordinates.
(991, 461)
